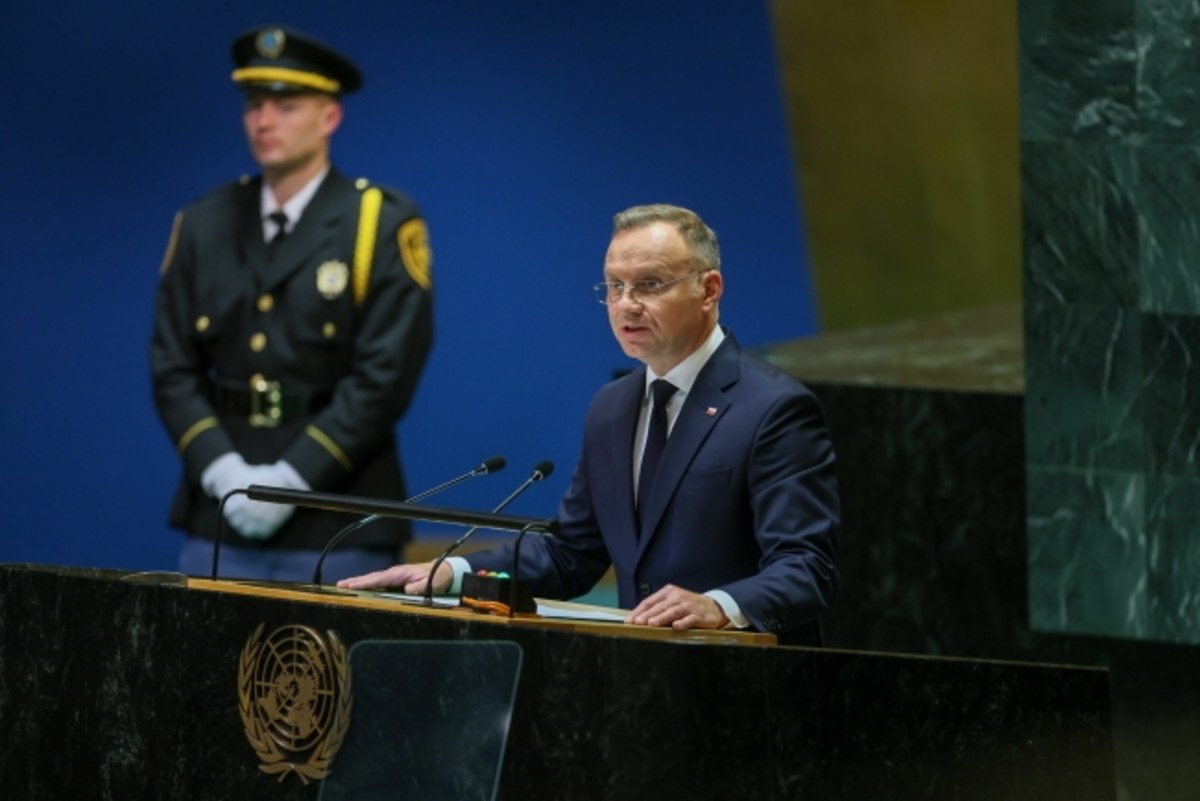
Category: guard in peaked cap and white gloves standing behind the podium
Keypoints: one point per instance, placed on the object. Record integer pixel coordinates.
(293, 320)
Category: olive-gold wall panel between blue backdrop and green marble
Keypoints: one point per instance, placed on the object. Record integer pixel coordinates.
(904, 127)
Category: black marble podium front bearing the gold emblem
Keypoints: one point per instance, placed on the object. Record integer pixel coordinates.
(113, 686)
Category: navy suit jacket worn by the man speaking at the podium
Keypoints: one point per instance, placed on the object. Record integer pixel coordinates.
(745, 501)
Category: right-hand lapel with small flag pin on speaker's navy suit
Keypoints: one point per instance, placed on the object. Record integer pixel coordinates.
(704, 407)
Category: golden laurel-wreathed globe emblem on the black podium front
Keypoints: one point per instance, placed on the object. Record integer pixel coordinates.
(295, 700)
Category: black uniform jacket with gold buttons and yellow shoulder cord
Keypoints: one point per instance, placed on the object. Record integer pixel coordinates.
(322, 335)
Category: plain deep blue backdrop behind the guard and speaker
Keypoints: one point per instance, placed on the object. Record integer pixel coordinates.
(521, 128)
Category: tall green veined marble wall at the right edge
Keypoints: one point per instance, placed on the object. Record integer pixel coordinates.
(1111, 172)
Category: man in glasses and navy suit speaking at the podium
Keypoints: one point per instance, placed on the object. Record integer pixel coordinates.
(715, 497)
